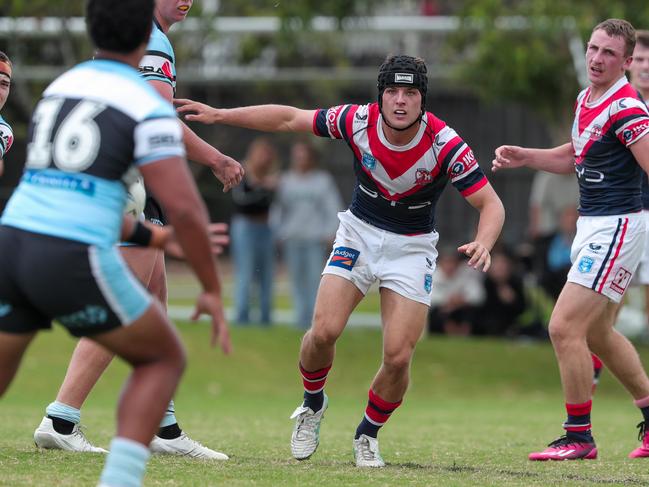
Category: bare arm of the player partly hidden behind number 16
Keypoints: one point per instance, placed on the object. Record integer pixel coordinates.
(226, 169)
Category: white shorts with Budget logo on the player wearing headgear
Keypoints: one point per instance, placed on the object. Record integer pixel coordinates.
(363, 253)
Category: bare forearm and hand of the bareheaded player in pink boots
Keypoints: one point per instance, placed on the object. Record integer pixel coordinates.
(558, 160)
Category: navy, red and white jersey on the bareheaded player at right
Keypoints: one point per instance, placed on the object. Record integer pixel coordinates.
(608, 174)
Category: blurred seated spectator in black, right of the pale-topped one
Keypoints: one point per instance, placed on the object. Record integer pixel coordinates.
(504, 297)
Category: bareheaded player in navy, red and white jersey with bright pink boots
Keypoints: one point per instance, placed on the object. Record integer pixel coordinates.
(609, 151)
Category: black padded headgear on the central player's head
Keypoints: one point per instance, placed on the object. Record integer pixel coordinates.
(396, 71)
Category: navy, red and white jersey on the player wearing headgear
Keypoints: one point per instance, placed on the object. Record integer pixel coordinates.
(397, 187)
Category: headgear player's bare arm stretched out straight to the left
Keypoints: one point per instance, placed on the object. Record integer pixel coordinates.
(266, 118)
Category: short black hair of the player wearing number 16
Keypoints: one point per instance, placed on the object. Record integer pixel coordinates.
(119, 25)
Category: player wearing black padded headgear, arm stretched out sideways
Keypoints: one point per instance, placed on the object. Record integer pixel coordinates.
(403, 158)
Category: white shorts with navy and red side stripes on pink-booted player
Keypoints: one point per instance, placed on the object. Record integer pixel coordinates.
(606, 252)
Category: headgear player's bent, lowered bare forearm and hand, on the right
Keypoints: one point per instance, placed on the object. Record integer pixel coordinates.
(492, 217)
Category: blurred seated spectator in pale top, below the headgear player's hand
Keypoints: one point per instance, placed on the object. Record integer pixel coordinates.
(456, 294)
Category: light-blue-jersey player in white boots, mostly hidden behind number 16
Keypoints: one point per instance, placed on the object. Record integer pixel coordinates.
(59, 429)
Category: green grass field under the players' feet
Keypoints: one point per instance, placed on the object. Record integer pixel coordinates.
(473, 412)
